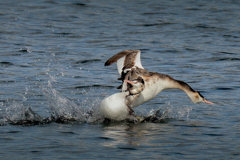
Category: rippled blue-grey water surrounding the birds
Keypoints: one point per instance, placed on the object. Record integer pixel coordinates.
(51, 62)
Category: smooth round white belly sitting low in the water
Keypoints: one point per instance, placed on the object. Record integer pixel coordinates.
(114, 107)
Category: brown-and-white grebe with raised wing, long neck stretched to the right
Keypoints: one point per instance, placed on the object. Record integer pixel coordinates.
(130, 69)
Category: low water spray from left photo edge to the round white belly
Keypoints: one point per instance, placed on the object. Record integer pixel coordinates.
(63, 110)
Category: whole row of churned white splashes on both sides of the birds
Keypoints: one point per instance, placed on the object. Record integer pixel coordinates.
(63, 110)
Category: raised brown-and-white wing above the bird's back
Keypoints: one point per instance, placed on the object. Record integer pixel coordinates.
(126, 60)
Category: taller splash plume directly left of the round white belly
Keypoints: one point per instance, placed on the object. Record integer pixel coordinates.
(64, 109)
